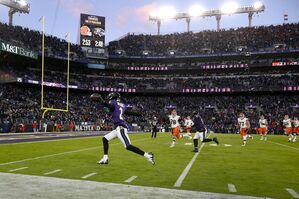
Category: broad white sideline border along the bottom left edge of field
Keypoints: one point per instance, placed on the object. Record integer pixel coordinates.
(33, 187)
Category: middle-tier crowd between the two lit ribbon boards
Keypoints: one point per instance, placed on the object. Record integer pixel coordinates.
(246, 82)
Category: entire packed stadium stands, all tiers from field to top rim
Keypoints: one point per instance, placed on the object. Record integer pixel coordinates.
(220, 74)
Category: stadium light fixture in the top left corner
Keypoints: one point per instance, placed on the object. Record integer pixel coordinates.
(15, 6)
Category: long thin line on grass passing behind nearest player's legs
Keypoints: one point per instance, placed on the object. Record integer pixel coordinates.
(57, 154)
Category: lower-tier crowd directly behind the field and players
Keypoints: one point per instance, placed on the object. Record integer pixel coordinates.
(219, 112)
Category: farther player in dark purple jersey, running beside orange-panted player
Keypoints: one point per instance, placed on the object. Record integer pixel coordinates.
(201, 132)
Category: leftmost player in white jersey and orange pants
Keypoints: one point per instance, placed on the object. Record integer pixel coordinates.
(175, 127)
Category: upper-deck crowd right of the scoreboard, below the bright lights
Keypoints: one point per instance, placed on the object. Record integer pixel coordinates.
(249, 39)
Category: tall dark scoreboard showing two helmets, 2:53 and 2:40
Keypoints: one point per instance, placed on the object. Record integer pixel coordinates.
(92, 31)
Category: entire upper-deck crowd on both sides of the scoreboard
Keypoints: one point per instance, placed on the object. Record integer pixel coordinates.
(262, 38)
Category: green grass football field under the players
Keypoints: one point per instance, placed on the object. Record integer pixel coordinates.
(261, 168)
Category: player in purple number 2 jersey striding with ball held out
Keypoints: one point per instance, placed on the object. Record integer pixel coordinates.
(117, 109)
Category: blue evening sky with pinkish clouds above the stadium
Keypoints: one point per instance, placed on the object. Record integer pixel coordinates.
(123, 16)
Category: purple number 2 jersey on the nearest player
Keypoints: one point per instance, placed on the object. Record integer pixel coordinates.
(117, 114)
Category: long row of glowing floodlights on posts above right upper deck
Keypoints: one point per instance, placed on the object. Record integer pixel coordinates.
(229, 8)
